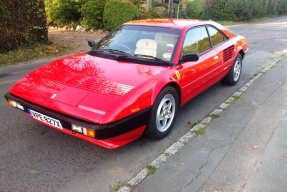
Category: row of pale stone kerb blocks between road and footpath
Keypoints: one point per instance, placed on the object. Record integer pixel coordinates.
(175, 147)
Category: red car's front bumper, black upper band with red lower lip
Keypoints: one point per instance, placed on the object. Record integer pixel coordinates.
(111, 136)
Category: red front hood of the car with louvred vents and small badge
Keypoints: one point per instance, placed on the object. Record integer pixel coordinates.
(82, 85)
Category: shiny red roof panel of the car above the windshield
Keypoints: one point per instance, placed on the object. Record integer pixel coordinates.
(170, 23)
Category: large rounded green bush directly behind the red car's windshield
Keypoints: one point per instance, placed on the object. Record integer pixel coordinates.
(117, 12)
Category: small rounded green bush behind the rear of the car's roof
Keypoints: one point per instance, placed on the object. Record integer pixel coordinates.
(195, 9)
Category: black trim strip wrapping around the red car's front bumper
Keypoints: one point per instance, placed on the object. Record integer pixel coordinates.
(103, 131)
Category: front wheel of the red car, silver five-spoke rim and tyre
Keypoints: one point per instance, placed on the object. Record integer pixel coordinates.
(163, 113)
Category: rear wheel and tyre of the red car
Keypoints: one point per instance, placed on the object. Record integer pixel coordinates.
(234, 74)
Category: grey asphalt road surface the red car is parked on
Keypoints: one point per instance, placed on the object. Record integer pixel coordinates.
(36, 158)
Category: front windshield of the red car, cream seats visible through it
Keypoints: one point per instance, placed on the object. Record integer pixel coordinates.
(154, 43)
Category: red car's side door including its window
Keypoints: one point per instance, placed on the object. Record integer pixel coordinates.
(196, 76)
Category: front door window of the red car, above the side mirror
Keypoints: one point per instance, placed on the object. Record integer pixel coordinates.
(196, 40)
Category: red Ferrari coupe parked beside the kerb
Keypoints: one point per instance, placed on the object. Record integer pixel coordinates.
(131, 82)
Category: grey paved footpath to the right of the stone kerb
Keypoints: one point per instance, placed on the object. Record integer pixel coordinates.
(244, 150)
